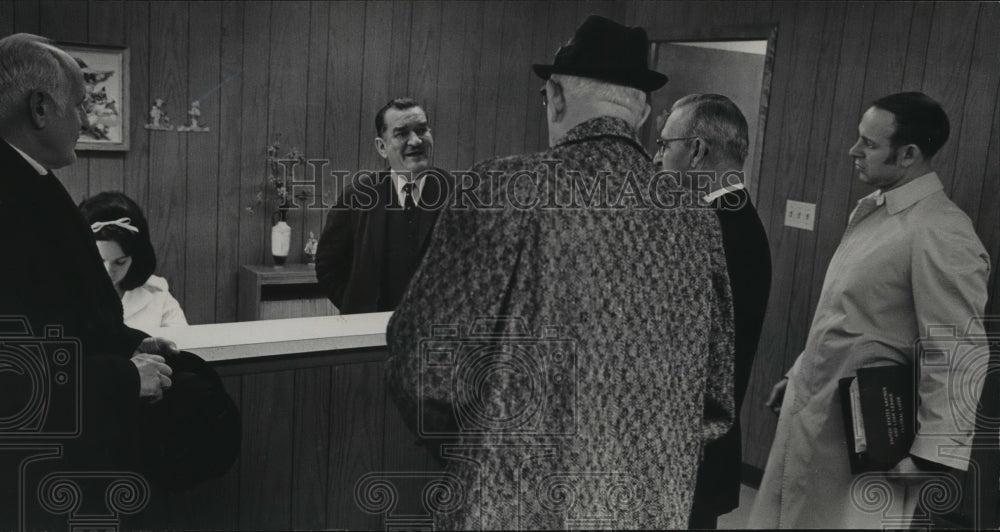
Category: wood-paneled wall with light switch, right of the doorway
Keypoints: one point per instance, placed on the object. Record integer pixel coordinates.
(832, 59)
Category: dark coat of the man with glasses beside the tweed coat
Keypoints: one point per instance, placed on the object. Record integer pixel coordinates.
(748, 261)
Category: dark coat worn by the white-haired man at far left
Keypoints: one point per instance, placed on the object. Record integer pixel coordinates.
(52, 275)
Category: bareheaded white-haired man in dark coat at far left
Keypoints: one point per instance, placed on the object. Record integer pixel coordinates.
(53, 286)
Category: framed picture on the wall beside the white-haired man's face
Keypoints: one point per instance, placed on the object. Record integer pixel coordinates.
(106, 74)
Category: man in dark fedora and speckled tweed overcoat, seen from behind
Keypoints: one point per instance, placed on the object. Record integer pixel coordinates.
(576, 336)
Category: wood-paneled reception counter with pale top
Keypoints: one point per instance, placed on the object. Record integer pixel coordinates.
(316, 420)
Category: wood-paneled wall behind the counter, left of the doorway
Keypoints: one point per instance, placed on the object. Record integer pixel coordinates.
(306, 74)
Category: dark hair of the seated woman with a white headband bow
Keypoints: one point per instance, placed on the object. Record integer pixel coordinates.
(109, 206)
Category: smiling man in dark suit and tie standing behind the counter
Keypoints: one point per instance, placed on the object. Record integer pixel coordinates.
(376, 234)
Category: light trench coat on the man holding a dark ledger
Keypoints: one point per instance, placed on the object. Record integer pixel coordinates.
(908, 280)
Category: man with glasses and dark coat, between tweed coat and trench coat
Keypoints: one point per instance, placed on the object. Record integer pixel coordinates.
(706, 135)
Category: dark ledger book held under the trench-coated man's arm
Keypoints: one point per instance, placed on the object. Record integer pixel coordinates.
(883, 412)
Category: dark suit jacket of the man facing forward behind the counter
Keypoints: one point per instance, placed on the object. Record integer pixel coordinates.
(351, 249)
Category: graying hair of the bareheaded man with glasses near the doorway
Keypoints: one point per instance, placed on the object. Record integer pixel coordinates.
(717, 120)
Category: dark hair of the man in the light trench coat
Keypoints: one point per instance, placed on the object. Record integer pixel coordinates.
(919, 119)
